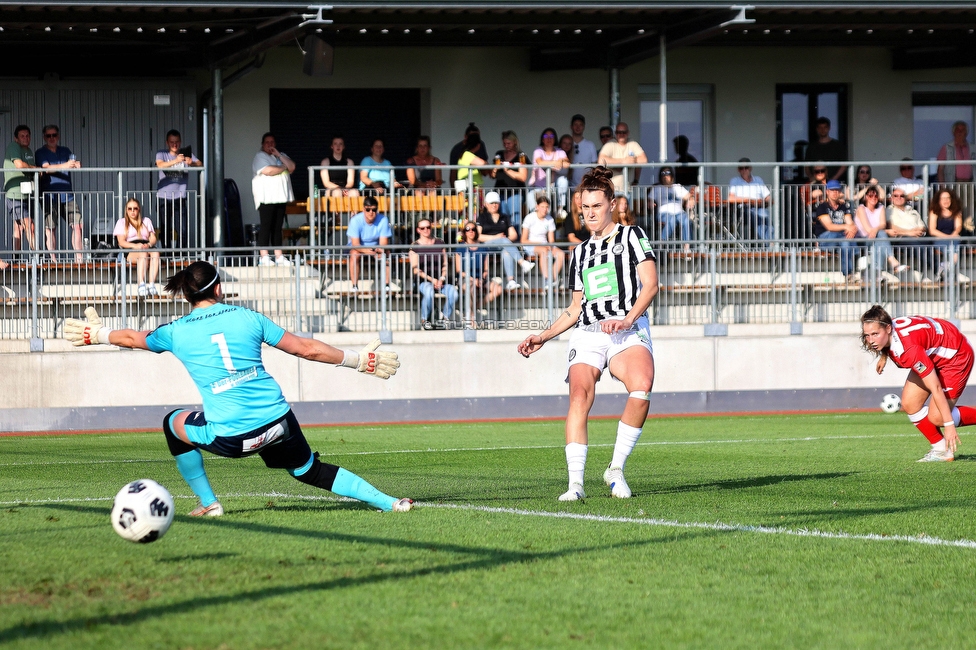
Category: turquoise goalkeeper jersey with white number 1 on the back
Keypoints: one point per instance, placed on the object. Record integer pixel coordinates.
(220, 346)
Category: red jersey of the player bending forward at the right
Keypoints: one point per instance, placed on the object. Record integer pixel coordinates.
(925, 344)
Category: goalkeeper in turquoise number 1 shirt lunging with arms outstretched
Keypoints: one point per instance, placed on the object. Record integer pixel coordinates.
(244, 411)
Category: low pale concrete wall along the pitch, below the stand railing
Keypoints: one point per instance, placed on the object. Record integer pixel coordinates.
(756, 367)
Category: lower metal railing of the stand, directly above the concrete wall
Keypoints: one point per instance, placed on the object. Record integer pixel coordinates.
(710, 282)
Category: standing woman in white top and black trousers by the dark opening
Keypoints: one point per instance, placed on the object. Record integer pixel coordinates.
(272, 190)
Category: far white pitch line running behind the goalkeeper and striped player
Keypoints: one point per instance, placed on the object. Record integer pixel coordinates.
(432, 450)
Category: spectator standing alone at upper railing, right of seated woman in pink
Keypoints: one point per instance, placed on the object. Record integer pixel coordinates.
(172, 207)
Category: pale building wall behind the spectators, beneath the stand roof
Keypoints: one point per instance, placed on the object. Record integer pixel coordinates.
(494, 88)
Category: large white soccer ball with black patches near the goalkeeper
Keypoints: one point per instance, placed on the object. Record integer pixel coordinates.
(143, 511)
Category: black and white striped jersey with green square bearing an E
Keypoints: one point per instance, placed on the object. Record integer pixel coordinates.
(605, 270)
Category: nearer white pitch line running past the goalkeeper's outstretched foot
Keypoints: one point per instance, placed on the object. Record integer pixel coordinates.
(650, 521)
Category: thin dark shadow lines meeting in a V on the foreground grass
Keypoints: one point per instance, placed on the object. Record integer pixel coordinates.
(480, 558)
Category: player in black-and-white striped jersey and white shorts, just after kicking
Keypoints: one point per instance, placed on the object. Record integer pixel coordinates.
(614, 279)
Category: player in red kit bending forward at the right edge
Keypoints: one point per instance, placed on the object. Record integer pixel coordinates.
(940, 359)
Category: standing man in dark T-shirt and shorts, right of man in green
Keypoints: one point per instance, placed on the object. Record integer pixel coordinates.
(59, 203)
